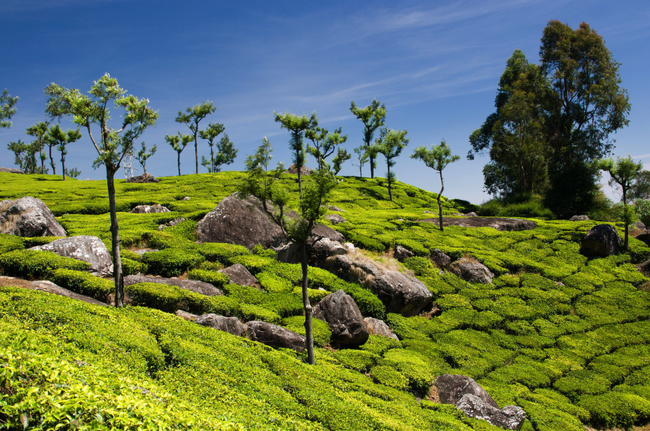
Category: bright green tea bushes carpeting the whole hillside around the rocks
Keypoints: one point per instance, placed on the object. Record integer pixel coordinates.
(563, 337)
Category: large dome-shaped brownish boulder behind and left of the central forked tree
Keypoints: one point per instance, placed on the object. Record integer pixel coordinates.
(241, 222)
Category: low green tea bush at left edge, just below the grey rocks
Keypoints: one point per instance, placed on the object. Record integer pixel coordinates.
(34, 264)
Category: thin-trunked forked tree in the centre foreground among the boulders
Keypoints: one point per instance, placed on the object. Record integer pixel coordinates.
(262, 183)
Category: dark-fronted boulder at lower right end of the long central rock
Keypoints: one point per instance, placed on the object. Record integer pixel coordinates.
(401, 294)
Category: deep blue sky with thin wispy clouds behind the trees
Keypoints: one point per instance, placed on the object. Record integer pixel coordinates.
(435, 65)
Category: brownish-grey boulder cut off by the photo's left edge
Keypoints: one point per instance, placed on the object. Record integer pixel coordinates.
(29, 217)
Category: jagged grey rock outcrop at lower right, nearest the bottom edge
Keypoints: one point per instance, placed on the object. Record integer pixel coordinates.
(468, 396)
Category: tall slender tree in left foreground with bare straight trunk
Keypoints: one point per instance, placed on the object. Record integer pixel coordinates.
(112, 145)
